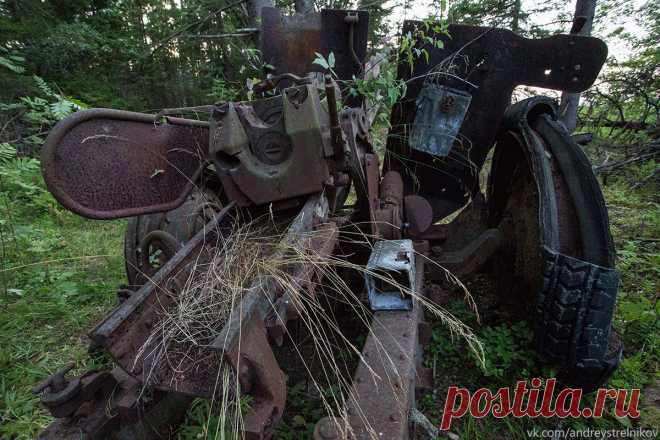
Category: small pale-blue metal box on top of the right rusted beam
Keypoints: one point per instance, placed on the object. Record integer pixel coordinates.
(395, 259)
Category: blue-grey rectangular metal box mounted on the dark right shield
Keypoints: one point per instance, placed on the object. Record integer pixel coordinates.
(439, 116)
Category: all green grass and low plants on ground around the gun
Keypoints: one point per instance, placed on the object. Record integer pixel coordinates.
(60, 274)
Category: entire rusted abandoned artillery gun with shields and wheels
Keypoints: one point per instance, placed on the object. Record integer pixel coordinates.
(541, 224)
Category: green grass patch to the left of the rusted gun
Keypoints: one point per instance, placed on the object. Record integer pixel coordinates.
(60, 274)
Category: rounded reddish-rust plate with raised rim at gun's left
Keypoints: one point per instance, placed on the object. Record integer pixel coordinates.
(107, 164)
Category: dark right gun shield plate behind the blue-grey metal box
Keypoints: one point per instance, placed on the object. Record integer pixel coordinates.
(487, 63)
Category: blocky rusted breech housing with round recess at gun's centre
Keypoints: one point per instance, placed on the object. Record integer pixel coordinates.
(260, 162)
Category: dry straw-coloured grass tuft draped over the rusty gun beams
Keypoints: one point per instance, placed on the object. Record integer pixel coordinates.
(256, 249)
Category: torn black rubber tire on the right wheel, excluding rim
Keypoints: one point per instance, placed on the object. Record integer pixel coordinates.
(578, 287)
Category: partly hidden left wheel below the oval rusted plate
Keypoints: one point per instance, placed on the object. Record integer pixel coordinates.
(151, 240)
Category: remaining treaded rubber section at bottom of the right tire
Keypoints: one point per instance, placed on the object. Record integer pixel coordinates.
(574, 320)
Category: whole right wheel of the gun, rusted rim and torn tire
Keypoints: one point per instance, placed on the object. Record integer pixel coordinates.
(557, 255)
